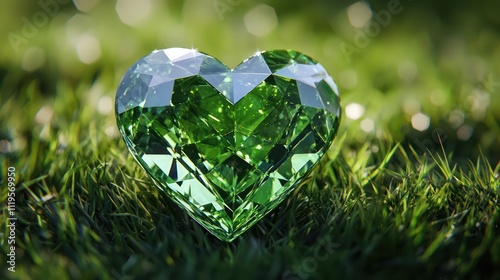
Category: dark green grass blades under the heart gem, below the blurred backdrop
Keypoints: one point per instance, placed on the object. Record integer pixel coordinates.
(90, 212)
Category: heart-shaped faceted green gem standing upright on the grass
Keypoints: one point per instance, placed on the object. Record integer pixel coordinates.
(227, 145)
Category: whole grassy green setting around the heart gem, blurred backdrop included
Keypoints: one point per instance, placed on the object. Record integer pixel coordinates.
(428, 78)
